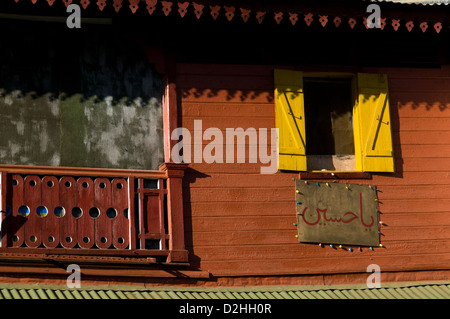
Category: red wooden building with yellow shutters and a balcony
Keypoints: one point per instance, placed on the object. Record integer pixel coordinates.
(89, 114)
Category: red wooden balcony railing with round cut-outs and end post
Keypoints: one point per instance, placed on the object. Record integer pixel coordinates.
(84, 211)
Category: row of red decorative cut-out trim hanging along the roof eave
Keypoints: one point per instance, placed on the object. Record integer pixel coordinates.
(215, 10)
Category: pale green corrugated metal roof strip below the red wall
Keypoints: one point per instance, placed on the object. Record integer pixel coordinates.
(437, 290)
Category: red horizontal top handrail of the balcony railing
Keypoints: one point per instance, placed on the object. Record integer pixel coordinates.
(83, 171)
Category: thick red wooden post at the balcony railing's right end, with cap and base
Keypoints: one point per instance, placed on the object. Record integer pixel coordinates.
(175, 173)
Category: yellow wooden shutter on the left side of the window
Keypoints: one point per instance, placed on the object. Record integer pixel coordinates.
(290, 120)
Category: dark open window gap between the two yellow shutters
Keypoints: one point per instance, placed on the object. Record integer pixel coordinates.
(328, 113)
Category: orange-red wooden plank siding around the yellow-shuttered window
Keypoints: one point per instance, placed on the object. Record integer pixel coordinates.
(239, 222)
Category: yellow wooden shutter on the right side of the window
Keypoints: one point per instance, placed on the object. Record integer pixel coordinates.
(372, 124)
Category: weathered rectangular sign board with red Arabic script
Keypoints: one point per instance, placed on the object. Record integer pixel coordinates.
(337, 213)
